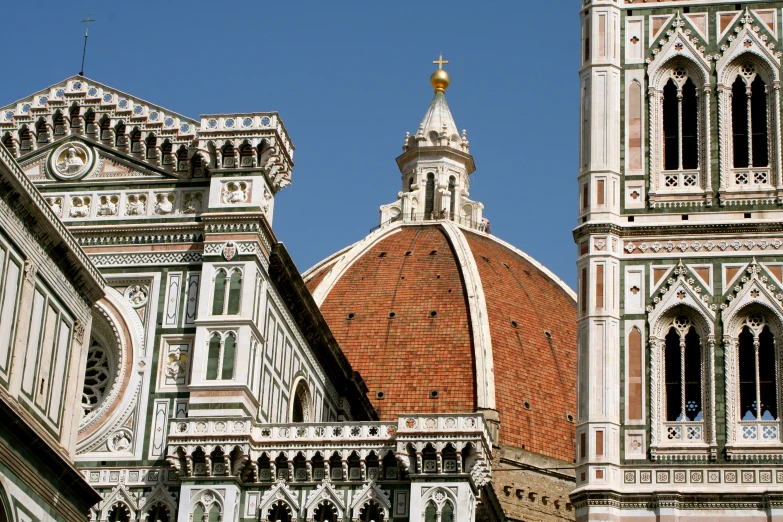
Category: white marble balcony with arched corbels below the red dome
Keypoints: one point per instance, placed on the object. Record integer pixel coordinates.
(414, 445)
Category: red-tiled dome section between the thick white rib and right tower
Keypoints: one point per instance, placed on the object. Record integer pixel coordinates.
(529, 364)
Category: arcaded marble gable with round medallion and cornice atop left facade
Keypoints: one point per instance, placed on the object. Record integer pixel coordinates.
(149, 138)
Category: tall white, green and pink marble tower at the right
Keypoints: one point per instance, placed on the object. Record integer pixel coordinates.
(680, 285)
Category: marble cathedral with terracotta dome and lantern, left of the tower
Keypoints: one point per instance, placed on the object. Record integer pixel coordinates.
(220, 385)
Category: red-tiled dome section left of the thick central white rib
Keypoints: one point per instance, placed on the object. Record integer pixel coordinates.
(413, 353)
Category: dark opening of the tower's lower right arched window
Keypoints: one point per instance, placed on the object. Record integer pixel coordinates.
(757, 382)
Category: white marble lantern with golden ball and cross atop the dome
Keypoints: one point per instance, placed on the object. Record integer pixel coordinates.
(435, 166)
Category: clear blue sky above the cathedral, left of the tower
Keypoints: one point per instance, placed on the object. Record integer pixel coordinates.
(349, 79)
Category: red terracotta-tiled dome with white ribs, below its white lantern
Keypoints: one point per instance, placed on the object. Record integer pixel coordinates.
(439, 317)
